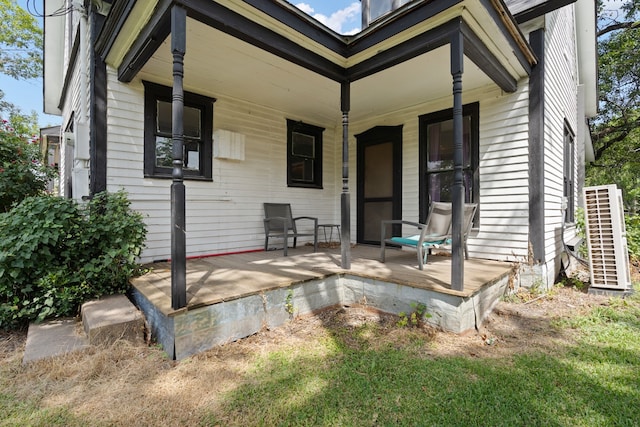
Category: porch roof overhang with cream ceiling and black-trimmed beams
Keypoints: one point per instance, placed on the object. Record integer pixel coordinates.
(231, 42)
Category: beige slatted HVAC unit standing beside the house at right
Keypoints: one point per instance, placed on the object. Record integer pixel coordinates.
(606, 238)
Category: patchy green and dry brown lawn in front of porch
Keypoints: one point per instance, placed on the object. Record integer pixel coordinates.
(574, 363)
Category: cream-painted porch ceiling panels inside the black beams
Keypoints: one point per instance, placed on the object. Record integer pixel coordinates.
(225, 66)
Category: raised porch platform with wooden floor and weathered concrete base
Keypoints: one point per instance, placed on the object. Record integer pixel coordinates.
(233, 296)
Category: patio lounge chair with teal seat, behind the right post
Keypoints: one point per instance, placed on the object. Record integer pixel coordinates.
(435, 233)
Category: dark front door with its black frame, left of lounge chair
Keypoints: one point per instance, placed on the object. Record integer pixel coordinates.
(379, 180)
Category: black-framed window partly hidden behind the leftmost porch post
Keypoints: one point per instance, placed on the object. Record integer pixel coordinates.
(158, 144)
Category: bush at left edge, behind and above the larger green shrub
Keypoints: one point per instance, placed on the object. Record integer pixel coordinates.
(22, 173)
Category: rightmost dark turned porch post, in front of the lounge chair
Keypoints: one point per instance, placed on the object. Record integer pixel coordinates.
(457, 193)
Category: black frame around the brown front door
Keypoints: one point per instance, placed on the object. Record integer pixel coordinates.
(374, 136)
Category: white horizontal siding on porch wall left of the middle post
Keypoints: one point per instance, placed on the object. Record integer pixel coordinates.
(224, 215)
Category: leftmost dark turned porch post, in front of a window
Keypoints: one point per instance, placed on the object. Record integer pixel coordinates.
(178, 235)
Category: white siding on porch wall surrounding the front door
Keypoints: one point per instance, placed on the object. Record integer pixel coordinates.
(503, 233)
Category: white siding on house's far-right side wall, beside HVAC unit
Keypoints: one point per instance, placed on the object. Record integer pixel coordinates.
(560, 105)
